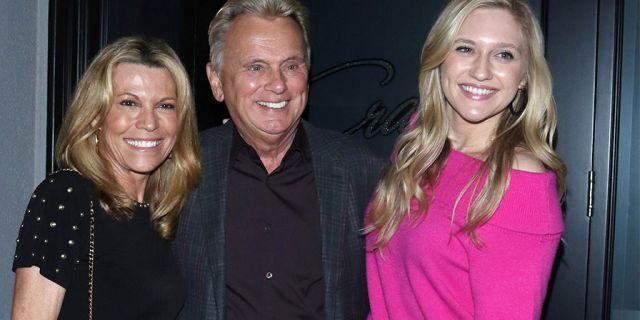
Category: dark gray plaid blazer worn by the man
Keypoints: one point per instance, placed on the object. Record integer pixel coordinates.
(346, 173)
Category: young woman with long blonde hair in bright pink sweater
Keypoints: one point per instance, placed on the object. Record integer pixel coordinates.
(466, 220)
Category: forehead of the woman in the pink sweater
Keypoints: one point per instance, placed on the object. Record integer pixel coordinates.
(492, 25)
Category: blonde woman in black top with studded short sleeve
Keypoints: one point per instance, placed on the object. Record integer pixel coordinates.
(129, 152)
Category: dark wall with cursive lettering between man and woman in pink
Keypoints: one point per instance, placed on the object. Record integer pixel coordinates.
(375, 47)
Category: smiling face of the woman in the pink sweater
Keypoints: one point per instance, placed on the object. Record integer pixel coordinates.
(486, 66)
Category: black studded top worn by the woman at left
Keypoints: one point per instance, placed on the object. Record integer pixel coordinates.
(135, 274)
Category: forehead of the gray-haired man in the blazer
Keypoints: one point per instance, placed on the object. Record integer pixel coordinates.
(248, 34)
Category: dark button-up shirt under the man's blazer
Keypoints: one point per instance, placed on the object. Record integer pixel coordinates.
(273, 250)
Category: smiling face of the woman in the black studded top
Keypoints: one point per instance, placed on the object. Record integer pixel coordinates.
(140, 129)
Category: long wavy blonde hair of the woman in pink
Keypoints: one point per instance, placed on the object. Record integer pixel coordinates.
(422, 150)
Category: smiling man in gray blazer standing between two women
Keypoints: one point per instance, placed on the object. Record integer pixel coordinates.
(274, 229)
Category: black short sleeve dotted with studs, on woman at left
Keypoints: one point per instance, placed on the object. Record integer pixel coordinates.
(54, 233)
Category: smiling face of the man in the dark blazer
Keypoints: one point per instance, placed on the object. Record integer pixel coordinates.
(263, 78)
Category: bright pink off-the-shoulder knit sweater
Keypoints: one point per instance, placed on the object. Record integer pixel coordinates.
(428, 271)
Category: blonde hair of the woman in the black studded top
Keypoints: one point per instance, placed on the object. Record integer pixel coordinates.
(76, 147)
